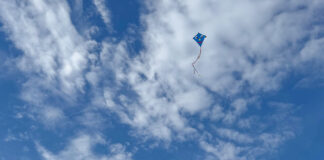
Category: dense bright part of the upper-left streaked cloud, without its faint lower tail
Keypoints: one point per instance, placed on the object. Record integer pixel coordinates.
(52, 48)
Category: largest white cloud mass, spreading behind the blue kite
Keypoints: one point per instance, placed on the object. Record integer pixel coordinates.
(247, 52)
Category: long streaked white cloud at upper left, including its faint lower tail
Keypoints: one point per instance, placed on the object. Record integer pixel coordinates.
(55, 56)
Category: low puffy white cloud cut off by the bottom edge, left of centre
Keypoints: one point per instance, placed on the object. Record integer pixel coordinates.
(82, 147)
